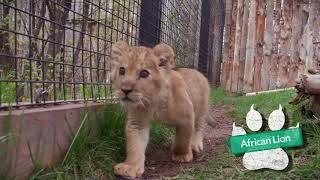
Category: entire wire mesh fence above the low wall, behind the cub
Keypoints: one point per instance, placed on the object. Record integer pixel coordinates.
(58, 51)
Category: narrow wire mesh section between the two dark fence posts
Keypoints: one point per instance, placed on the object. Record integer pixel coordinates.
(181, 22)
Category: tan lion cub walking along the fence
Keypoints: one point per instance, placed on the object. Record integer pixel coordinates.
(151, 90)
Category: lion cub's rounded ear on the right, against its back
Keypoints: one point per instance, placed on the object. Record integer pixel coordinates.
(165, 54)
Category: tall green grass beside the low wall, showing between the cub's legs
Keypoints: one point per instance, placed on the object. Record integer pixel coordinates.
(98, 146)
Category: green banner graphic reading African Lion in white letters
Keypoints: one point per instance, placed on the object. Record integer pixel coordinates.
(266, 140)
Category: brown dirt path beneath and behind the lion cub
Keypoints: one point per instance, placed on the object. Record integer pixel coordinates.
(158, 157)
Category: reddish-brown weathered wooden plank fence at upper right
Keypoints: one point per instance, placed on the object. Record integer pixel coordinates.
(268, 43)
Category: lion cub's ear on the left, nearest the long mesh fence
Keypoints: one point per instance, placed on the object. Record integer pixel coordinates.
(118, 49)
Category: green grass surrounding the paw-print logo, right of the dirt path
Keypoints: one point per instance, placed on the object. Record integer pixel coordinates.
(305, 162)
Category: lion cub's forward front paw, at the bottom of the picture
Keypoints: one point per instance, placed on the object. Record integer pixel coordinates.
(124, 169)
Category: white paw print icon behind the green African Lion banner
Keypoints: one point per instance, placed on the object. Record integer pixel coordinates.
(276, 159)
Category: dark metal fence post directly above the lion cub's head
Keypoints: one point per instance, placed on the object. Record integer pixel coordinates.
(150, 20)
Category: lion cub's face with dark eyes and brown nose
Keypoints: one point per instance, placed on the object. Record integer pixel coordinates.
(136, 74)
